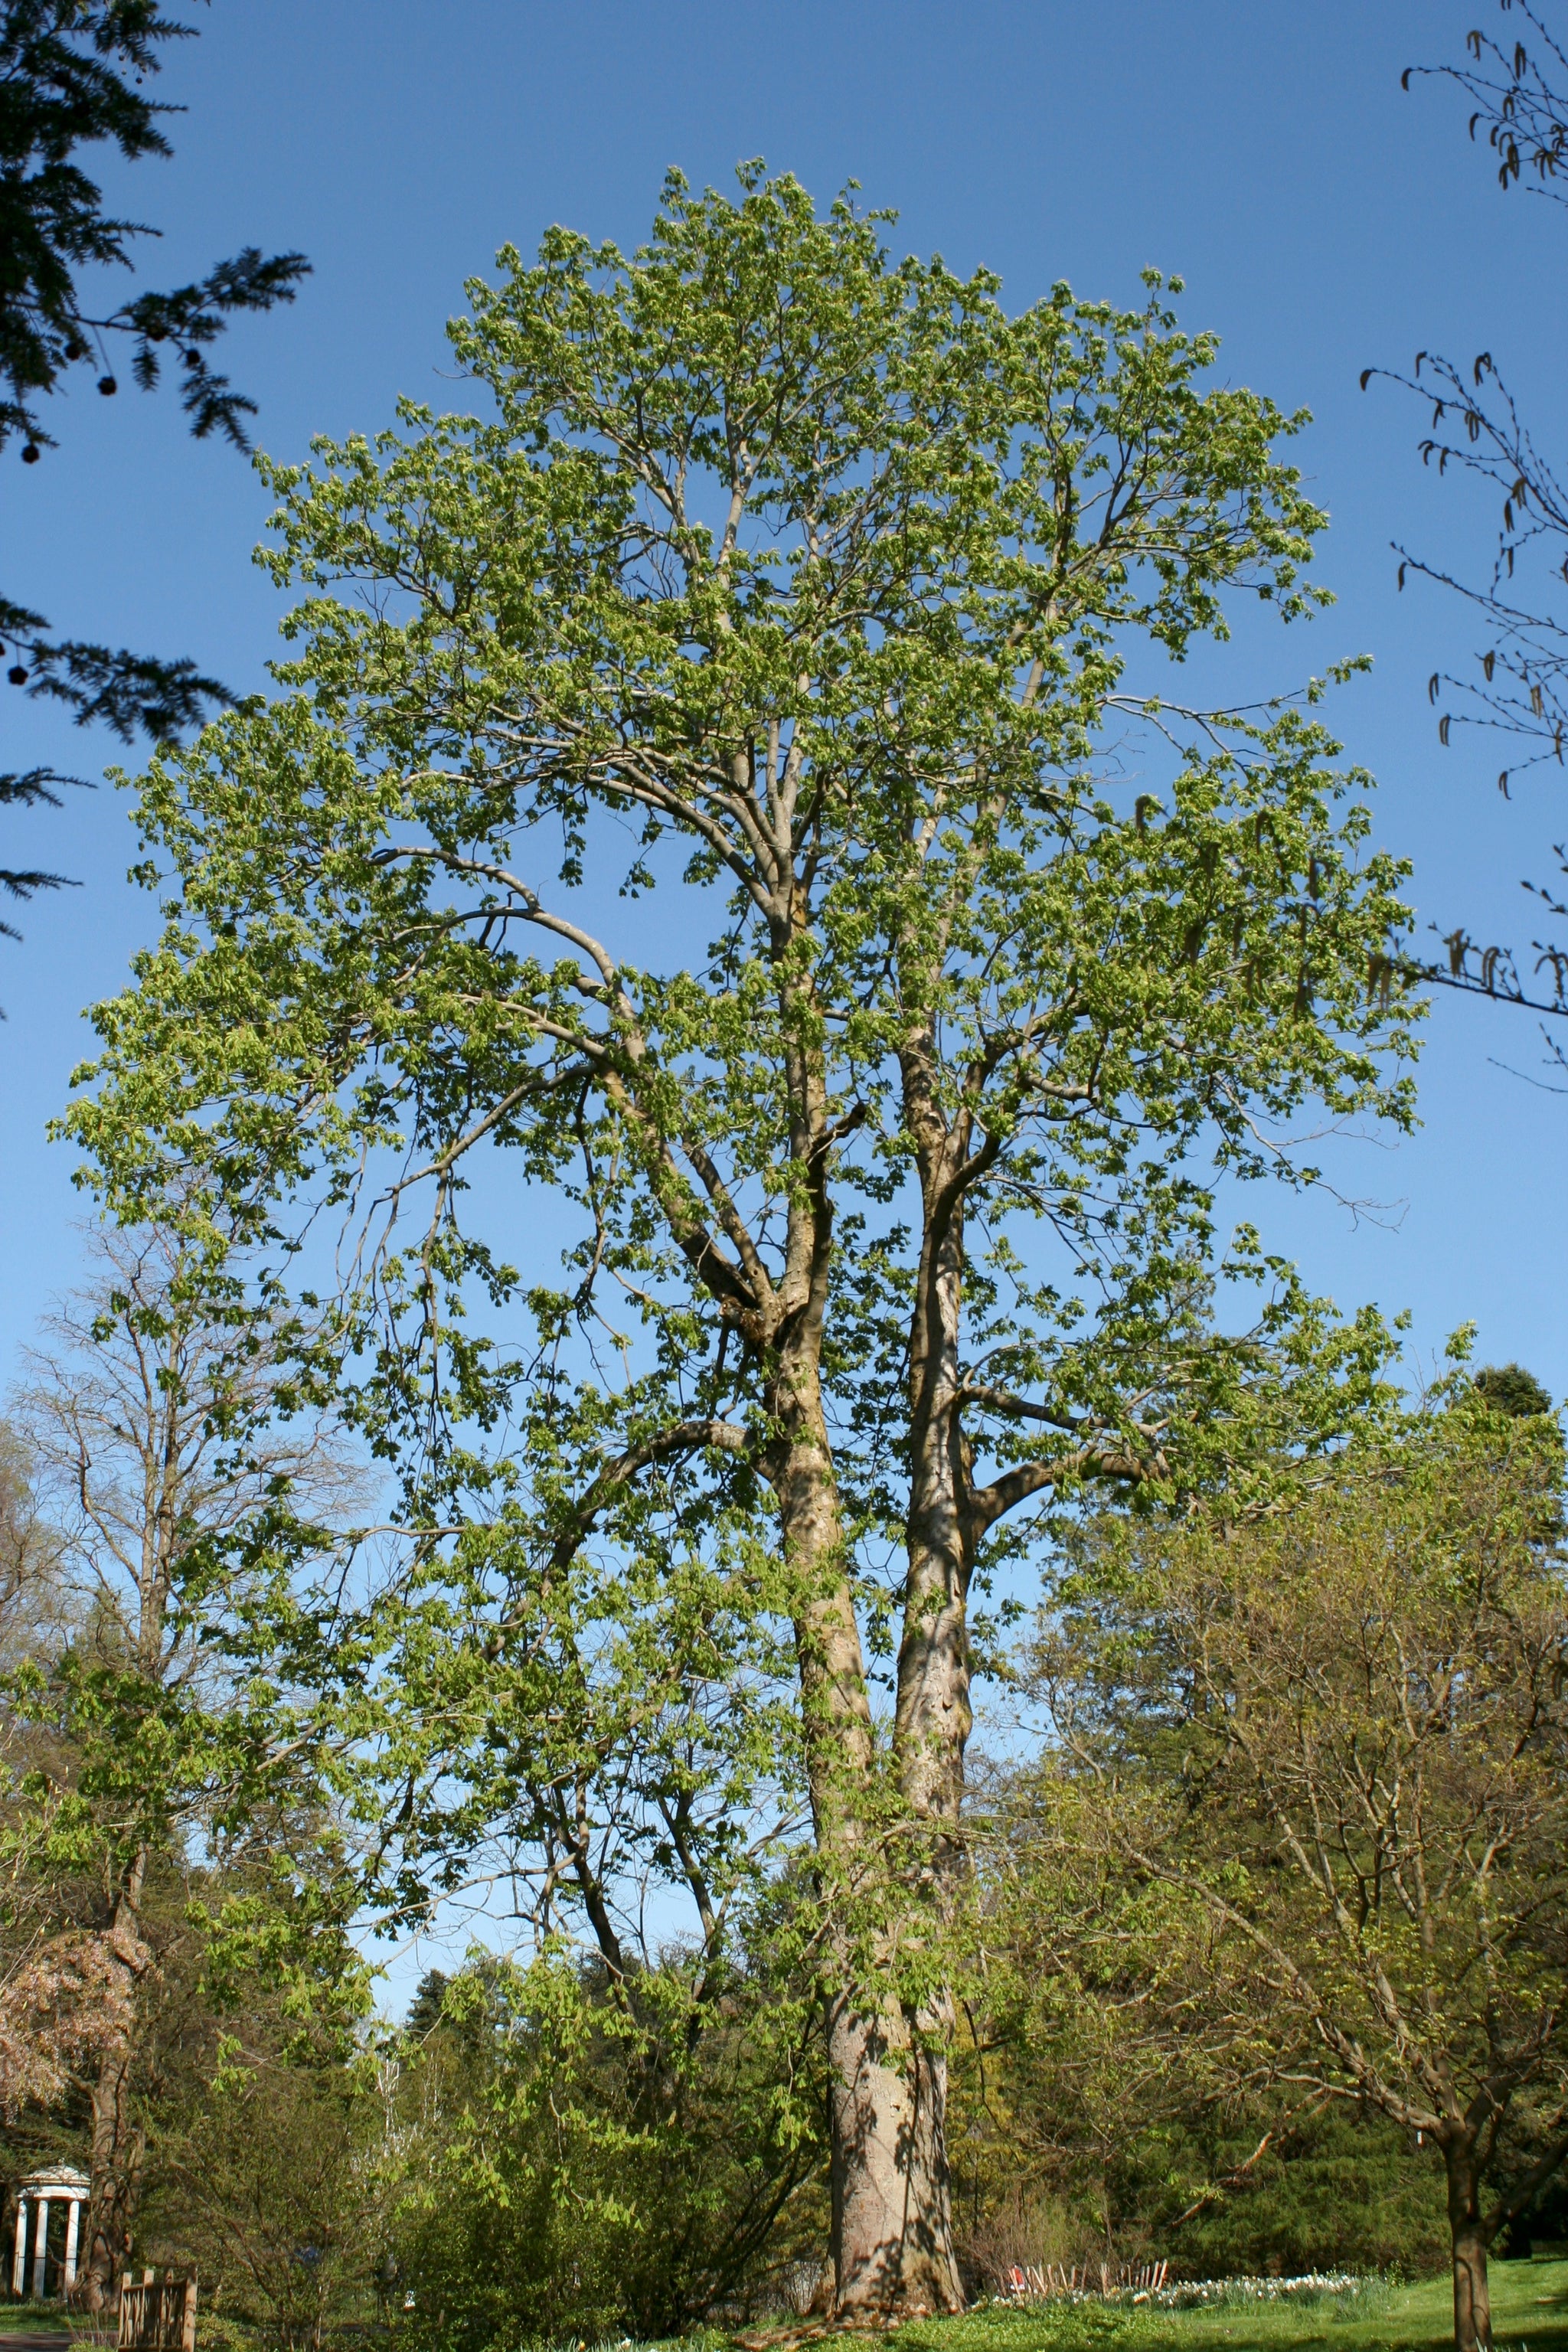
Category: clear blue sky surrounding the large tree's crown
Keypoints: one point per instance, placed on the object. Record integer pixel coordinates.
(1259, 149)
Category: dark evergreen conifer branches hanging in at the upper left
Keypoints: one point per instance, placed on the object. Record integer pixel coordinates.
(72, 74)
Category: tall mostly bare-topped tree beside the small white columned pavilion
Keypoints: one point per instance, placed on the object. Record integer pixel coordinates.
(152, 1450)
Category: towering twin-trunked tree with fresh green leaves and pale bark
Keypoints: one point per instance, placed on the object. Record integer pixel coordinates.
(826, 599)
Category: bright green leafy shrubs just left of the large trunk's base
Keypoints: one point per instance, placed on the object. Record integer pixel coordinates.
(587, 2156)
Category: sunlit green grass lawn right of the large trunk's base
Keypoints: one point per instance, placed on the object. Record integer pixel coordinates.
(1529, 2311)
